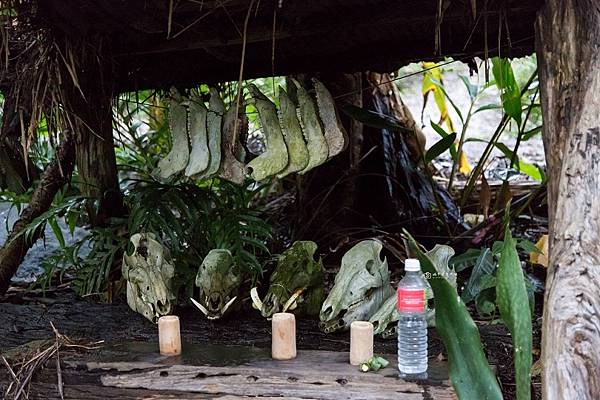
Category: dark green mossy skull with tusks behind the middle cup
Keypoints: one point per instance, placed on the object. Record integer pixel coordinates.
(296, 284)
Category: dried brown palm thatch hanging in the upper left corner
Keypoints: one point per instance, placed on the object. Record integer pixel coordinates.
(40, 69)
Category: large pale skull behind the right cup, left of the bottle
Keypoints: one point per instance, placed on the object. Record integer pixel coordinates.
(361, 286)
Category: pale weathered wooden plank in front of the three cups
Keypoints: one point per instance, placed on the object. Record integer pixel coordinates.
(313, 374)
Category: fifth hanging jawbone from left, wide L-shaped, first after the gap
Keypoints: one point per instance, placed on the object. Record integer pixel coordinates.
(275, 157)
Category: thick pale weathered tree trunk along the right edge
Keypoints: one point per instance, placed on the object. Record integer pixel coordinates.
(568, 36)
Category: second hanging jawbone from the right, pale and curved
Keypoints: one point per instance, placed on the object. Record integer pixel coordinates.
(312, 129)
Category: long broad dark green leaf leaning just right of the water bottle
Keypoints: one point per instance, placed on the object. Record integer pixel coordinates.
(470, 372)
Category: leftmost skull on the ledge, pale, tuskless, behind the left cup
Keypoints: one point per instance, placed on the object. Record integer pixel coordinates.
(149, 272)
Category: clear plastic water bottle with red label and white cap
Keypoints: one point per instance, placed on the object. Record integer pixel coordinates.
(412, 325)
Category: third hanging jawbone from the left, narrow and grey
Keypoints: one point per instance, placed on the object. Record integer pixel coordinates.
(214, 119)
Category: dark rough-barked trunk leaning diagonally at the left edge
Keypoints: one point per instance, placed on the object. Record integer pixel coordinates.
(54, 177)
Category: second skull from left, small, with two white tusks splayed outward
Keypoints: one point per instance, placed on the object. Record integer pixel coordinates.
(219, 281)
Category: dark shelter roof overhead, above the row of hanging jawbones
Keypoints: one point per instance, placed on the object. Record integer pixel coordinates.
(158, 43)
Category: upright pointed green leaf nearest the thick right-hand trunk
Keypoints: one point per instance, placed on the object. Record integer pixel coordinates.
(513, 302)
